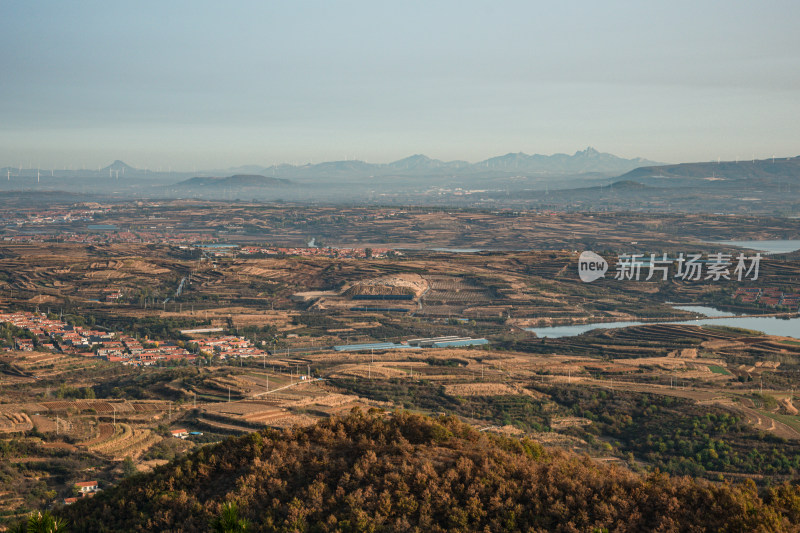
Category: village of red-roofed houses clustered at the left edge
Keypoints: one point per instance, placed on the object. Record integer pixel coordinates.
(55, 335)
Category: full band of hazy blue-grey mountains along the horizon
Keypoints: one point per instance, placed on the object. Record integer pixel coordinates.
(585, 180)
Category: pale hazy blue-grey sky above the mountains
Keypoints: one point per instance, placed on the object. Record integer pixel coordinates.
(205, 84)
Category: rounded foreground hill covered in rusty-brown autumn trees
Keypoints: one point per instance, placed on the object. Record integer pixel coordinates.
(402, 472)
